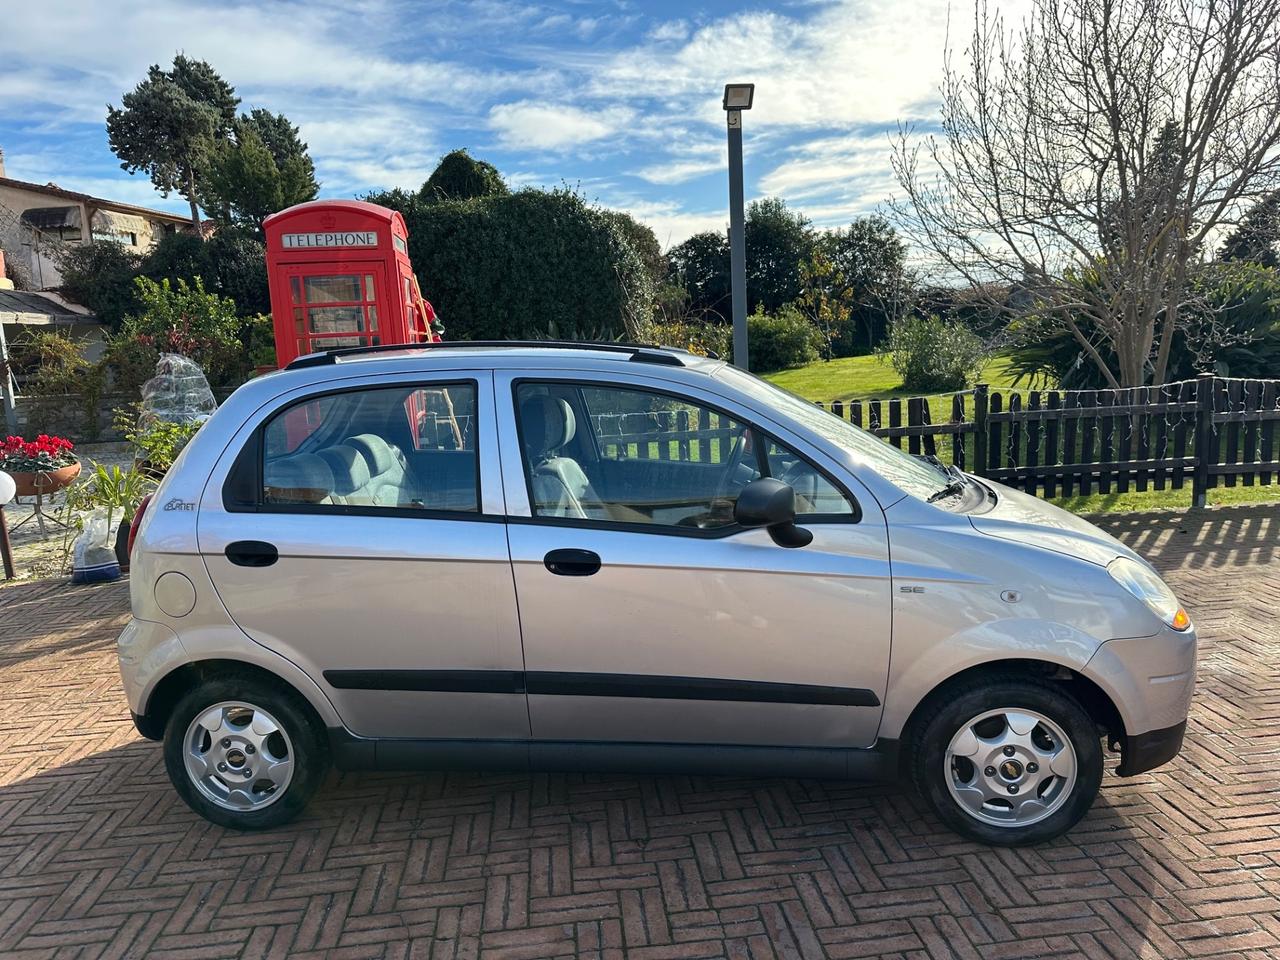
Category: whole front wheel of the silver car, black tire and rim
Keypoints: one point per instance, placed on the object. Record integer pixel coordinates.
(1036, 793)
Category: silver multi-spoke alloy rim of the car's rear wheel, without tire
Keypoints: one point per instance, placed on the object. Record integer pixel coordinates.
(239, 756)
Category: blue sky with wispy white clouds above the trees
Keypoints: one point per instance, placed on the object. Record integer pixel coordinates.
(618, 98)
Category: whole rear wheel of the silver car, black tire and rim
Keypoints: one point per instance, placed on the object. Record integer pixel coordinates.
(237, 725)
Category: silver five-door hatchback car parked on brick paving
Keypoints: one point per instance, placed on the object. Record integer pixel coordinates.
(627, 559)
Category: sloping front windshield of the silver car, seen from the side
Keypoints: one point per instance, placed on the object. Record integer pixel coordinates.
(909, 474)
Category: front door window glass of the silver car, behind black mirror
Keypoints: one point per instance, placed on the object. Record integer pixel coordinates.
(628, 456)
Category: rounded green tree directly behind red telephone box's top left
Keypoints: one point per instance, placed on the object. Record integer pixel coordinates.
(263, 170)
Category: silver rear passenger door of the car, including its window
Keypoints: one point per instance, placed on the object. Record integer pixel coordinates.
(358, 531)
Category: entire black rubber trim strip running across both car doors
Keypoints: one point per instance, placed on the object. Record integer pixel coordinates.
(625, 685)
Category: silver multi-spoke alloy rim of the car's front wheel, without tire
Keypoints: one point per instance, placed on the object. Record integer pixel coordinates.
(1011, 767)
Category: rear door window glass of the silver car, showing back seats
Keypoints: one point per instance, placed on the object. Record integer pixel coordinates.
(386, 449)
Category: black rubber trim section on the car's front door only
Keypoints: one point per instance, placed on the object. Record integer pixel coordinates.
(643, 685)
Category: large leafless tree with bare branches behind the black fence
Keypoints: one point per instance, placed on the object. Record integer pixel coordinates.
(1089, 159)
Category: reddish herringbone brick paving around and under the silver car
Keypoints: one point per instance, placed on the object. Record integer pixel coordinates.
(98, 858)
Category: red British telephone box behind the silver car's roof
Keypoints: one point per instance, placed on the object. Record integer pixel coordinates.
(340, 277)
